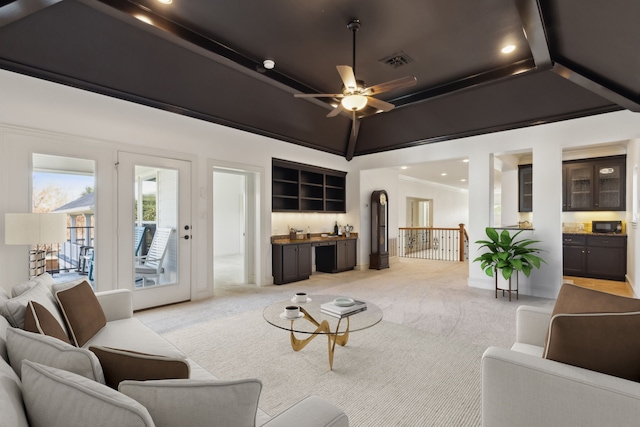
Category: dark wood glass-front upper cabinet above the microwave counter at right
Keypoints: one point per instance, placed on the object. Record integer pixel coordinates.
(597, 184)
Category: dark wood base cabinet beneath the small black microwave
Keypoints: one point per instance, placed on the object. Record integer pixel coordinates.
(595, 256)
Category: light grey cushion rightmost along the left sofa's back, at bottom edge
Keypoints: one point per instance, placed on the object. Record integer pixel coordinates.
(171, 402)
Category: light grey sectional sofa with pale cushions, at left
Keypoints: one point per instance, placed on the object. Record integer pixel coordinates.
(50, 384)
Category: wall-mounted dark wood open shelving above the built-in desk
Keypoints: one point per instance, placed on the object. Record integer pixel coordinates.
(296, 187)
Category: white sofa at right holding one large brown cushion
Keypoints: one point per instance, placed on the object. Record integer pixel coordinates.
(521, 388)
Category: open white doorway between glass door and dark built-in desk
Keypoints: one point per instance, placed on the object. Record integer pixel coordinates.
(235, 226)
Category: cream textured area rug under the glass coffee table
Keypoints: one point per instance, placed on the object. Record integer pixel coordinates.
(387, 375)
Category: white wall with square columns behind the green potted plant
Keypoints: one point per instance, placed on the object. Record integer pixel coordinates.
(546, 143)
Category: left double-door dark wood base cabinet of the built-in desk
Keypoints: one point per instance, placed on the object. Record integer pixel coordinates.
(291, 262)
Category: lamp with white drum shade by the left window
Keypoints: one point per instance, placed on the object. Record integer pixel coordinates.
(35, 229)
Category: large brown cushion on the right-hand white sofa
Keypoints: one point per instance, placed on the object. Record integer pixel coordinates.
(595, 330)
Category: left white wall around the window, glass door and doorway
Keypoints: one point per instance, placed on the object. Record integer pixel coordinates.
(37, 115)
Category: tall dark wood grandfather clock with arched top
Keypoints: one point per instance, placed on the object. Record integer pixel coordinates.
(379, 257)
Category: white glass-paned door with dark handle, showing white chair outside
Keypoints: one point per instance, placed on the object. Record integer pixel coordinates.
(154, 229)
